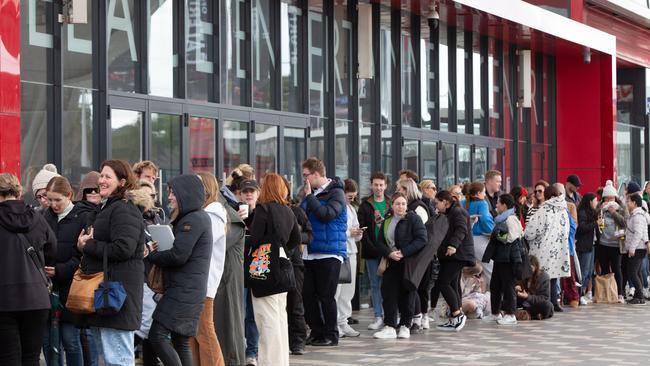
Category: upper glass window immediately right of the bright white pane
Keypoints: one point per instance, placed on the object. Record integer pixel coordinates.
(199, 49)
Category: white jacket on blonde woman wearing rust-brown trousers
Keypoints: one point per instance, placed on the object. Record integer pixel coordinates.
(218, 217)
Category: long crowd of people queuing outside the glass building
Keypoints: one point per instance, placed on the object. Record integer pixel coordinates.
(255, 274)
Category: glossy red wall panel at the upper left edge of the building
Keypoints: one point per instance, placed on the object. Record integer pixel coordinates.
(10, 86)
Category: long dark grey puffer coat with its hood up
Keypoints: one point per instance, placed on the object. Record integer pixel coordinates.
(187, 264)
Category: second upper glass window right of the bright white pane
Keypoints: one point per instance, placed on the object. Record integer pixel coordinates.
(233, 52)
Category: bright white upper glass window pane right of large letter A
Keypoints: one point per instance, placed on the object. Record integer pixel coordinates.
(162, 60)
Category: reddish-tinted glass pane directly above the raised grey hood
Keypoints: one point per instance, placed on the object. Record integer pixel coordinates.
(202, 145)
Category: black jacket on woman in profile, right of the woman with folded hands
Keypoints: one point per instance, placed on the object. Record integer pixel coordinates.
(459, 236)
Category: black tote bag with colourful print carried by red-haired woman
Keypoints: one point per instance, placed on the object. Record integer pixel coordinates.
(269, 271)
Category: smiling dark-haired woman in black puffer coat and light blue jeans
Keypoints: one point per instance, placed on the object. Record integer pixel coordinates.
(118, 230)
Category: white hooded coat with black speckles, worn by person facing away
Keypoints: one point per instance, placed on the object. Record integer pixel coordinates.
(547, 233)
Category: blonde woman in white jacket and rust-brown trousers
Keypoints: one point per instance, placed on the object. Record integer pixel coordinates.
(205, 345)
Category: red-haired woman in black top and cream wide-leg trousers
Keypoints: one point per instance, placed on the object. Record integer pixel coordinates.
(274, 223)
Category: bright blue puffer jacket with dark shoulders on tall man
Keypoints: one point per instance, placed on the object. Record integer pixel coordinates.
(329, 221)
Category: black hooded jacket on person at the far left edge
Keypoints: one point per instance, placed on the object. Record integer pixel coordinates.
(21, 285)
